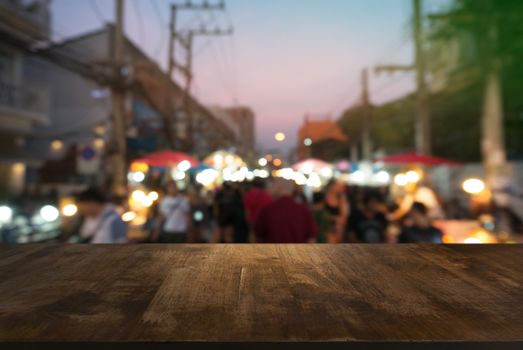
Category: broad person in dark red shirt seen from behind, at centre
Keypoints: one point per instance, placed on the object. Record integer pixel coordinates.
(285, 220)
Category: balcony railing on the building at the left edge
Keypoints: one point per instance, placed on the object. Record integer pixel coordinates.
(28, 100)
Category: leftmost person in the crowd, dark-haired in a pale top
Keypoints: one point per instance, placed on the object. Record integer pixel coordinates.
(102, 223)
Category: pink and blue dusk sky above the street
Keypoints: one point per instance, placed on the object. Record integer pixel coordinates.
(285, 59)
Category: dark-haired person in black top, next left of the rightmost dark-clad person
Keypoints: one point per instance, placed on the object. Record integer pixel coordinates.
(368, 224)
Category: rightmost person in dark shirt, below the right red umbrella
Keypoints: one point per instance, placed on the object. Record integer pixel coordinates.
(418, 227)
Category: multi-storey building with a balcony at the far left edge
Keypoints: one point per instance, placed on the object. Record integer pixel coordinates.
(24, 103)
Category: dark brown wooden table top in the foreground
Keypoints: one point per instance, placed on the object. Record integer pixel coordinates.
(268, 293)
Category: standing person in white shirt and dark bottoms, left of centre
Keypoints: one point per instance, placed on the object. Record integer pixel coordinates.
(175, 211)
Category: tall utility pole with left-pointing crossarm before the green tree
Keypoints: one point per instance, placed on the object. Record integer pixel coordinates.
(422, 121)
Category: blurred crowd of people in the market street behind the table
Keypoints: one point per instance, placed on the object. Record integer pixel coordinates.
(273, 211)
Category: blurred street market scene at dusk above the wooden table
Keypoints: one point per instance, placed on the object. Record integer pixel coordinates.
(177, 121)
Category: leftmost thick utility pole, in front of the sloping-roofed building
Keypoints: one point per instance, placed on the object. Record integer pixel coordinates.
(118, 142)
